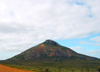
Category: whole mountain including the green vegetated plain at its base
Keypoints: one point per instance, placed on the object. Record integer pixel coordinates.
(53, 56)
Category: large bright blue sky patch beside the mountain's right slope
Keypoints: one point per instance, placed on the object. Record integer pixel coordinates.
(84, 46)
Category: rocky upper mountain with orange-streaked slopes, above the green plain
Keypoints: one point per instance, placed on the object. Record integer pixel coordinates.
(49, 49)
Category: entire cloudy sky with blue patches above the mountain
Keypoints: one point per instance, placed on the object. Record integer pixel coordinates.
(72, 23)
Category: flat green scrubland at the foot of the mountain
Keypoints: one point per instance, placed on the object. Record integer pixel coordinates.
(55, 66)
